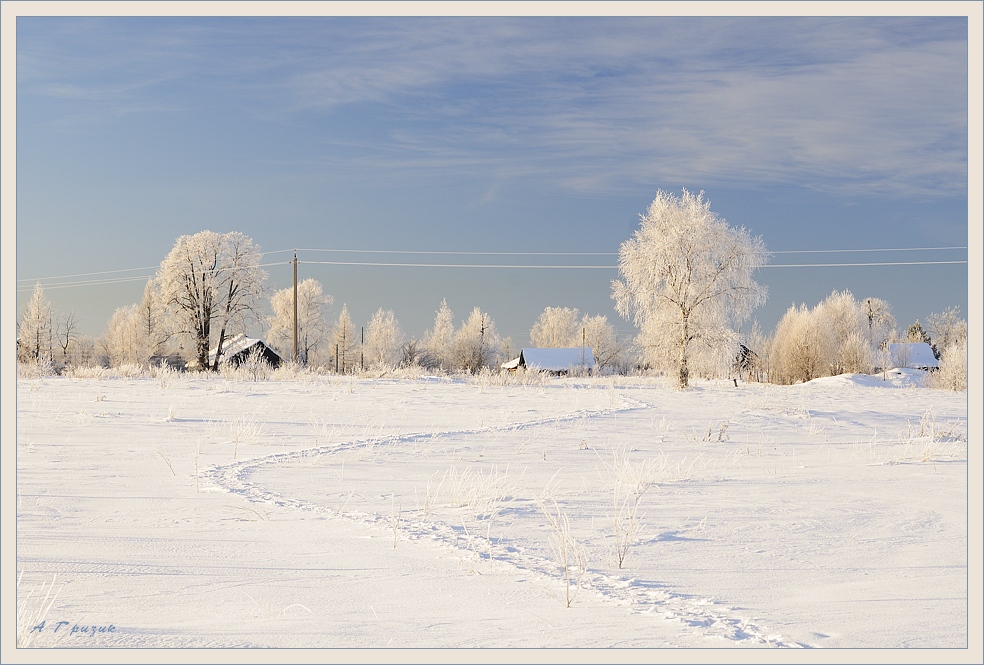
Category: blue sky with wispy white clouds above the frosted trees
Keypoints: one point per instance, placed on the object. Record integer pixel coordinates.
(510, 134)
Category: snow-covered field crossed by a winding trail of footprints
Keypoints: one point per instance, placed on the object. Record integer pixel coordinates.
(344, 512)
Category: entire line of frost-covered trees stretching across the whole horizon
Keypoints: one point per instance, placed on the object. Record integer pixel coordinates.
(686, 282)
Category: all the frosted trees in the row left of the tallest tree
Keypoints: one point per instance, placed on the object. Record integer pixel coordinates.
(210, 287)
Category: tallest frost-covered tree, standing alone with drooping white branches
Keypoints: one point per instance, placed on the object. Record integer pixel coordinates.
(686, 278)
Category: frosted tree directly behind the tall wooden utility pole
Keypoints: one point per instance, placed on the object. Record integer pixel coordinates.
(313, 329)
